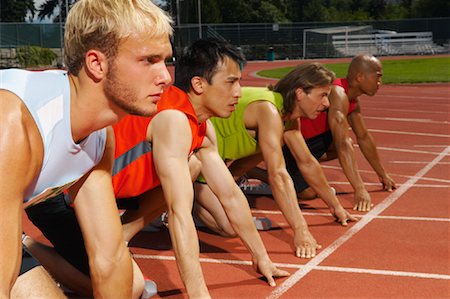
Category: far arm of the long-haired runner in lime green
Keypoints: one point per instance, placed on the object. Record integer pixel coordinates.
(313, 174)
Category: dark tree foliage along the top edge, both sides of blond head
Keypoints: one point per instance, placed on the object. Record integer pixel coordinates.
(257, 11)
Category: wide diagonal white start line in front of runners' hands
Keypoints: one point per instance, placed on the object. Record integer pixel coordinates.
(366, 219)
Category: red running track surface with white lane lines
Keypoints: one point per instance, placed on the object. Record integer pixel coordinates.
(401, 249)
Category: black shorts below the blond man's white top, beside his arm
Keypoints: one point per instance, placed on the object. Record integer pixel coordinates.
(58, 223)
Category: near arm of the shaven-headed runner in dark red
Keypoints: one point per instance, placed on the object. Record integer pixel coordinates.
(337, 119)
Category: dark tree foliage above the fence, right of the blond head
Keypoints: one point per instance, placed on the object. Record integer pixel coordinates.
(282, 11)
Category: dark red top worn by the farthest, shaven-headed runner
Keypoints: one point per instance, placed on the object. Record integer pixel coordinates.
(314, 127)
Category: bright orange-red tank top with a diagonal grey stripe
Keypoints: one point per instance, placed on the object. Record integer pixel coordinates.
(134, 172)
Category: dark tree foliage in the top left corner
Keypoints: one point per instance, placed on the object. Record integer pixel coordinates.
(16, 10)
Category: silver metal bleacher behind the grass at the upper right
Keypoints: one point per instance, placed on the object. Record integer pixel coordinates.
(410, 43)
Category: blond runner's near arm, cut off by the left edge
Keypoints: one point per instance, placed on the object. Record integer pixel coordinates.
(21, 154)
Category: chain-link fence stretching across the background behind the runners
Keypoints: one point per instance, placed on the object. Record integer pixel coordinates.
(264, 41)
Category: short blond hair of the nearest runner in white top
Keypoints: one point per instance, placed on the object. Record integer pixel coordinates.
(102, 24)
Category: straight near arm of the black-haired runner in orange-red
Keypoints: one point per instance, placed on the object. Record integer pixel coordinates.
(171, 139)
